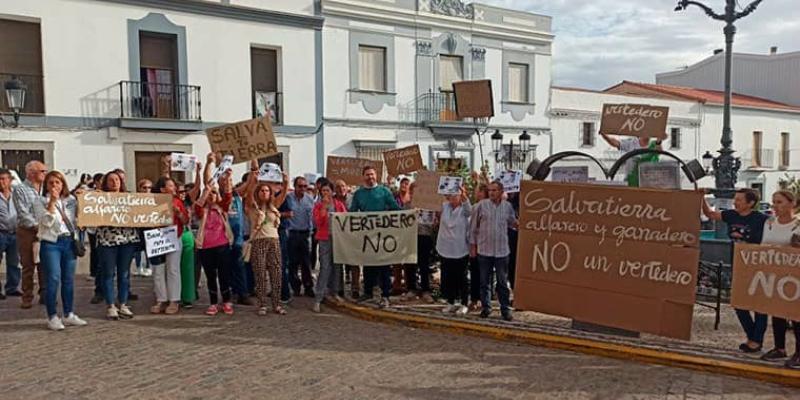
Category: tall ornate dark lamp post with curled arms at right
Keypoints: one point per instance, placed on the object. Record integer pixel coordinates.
(726, 166)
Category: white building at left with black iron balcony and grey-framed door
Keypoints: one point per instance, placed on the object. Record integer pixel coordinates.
(118, 83)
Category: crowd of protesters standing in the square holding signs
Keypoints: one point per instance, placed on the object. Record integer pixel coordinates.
(258, 244)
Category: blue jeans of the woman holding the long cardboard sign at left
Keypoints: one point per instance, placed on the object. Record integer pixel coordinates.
(116, 260)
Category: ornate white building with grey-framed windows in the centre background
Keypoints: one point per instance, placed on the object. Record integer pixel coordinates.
(390, 67)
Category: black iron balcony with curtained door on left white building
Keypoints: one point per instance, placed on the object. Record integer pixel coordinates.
(159, 106)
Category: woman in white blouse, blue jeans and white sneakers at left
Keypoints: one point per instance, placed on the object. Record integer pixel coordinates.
(56, 233)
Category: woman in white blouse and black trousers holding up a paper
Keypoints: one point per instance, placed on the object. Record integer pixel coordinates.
(453, 247)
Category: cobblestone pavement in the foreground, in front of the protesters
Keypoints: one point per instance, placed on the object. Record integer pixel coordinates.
(308, 356)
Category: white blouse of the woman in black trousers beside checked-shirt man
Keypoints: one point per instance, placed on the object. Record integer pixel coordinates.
(454, 228)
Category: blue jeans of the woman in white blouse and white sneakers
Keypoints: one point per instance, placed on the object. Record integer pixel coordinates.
(58, 261)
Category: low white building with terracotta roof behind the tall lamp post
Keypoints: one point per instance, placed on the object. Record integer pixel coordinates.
(766, 133)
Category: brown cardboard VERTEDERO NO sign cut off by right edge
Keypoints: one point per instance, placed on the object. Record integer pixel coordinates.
(767, 279)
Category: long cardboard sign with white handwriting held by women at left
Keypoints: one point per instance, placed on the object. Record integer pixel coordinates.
(130, 210)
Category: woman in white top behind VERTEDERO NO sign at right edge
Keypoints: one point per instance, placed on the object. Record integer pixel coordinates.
(783, 229)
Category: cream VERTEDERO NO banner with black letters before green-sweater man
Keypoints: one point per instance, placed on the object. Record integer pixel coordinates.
(375, 238)
